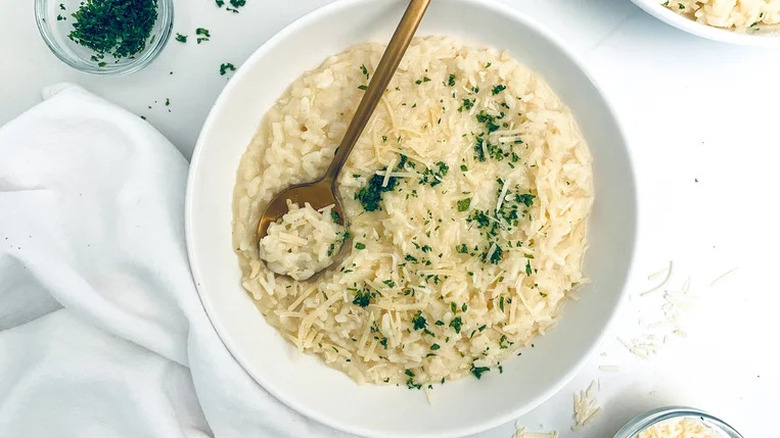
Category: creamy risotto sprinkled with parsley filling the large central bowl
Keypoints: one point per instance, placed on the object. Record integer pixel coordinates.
(467, 197)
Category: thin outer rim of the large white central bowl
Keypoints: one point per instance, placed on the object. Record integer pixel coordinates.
(477, 427)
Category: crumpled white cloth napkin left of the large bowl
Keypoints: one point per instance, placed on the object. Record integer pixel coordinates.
(101, 330)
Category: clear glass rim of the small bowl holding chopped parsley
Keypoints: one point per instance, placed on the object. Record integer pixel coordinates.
(165, 15)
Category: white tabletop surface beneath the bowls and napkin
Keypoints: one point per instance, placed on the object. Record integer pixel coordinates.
(693, 110)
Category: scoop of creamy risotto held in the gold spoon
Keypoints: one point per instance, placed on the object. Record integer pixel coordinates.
(302, 242)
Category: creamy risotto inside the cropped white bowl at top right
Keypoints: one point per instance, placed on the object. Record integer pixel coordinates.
(740, 15)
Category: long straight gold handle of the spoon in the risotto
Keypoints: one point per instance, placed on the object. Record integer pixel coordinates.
(384, 73)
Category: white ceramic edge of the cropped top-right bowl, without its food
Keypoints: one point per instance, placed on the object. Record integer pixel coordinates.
(760, 38)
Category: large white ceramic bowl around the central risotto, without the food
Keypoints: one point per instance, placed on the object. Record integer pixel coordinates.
(461, 407)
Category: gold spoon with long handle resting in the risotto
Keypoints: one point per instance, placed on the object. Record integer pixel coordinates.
(323, 192)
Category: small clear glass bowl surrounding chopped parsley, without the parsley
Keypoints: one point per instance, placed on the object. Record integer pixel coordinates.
(55, 23)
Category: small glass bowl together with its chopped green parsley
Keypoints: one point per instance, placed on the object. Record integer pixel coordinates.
(105, 37)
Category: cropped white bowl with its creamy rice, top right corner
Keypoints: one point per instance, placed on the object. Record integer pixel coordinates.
(743, 22)
